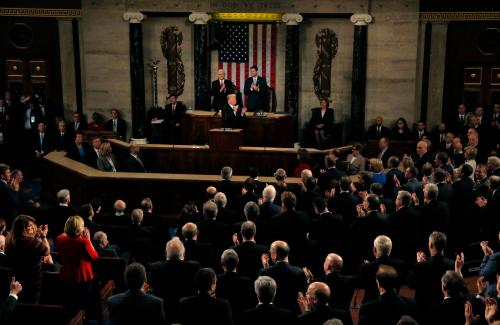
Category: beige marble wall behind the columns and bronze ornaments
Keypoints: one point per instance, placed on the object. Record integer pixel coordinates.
(392, 68)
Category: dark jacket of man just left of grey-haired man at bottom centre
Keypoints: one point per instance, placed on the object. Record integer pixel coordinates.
(238, 290)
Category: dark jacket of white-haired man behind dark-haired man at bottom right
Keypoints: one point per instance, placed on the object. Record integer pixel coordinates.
(366, 275)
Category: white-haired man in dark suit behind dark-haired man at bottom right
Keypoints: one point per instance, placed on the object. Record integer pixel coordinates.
(382, 247)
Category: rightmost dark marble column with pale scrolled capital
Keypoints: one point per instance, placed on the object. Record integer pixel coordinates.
(358, 90)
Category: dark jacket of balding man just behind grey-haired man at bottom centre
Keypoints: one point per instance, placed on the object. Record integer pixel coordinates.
(290, 280)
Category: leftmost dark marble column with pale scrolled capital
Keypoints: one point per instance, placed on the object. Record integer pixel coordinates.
(136, 73)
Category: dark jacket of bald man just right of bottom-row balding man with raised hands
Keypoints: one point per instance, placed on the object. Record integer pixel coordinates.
(341, 288)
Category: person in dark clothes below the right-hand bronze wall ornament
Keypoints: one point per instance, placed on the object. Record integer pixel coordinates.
(321, 122)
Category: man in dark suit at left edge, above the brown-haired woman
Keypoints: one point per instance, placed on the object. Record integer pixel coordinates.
(9, 194)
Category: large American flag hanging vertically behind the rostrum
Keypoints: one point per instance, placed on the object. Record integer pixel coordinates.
(243, 45)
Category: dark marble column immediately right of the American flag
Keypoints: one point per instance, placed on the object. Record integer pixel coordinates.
(292, 68)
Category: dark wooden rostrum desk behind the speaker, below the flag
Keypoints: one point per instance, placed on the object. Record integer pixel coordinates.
(271, 130)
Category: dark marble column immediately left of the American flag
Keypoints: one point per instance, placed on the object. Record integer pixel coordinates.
(201, 60)
